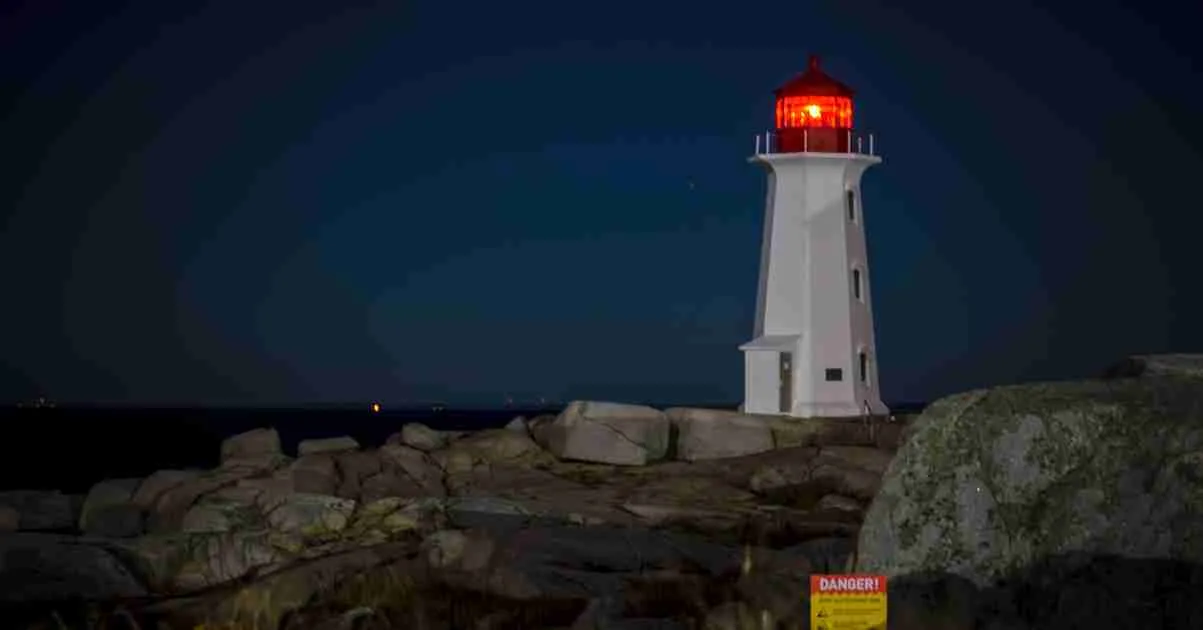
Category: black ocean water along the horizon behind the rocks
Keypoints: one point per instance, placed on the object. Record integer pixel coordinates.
(72, 449)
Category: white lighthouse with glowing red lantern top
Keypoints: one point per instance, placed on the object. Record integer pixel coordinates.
(814, 352)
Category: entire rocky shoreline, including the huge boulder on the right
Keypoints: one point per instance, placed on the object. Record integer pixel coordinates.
(987, 512)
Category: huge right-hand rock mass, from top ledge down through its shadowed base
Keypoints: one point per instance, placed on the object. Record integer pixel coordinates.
(1050, 506)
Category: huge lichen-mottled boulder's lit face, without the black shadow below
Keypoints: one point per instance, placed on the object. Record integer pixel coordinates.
(997, 482)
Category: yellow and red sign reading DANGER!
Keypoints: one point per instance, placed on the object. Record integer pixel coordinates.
(848, 603)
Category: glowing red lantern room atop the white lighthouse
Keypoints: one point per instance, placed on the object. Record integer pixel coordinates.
(814, 114)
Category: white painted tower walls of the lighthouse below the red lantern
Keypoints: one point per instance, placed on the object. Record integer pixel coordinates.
(805, 295)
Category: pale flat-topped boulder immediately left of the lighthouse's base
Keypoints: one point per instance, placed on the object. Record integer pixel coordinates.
(716, 435)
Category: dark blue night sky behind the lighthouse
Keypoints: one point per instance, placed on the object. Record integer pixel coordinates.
(281, 203)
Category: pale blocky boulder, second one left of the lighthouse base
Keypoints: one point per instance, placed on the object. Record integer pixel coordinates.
(608, 433)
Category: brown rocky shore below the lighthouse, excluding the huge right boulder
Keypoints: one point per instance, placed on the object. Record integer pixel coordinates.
(549, 514)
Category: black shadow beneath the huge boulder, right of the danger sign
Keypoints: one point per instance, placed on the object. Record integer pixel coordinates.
(1062, 592)
